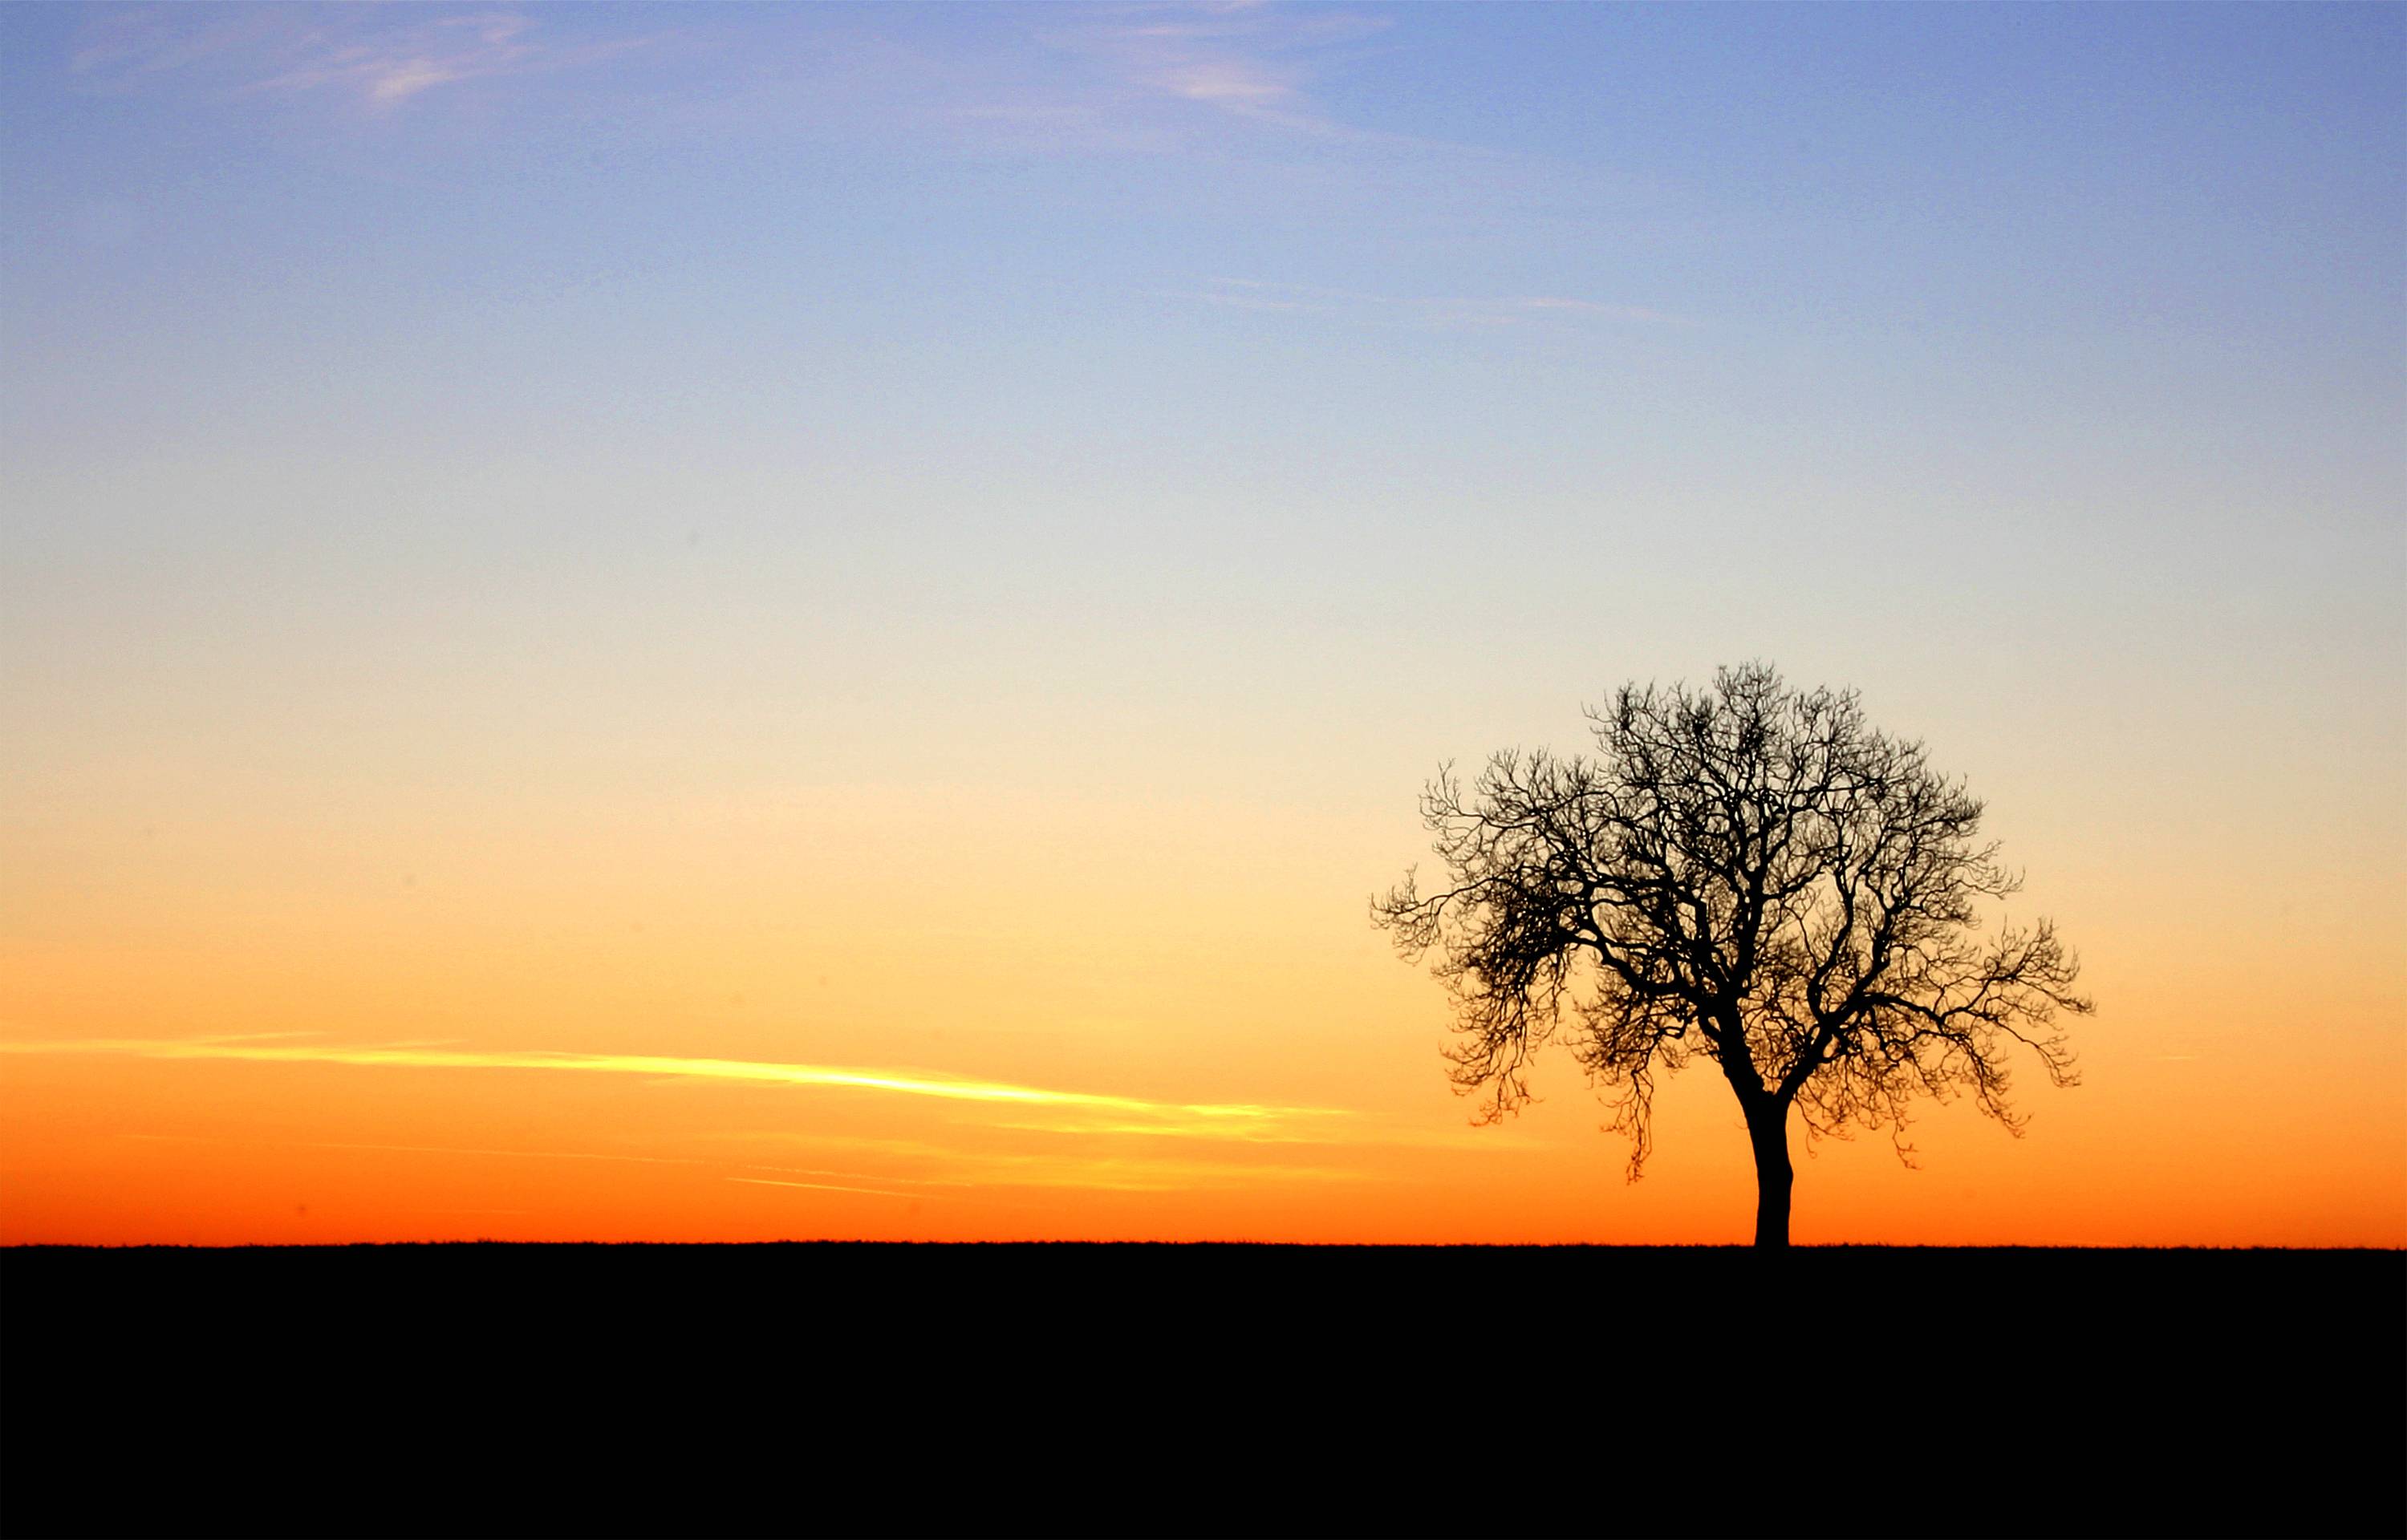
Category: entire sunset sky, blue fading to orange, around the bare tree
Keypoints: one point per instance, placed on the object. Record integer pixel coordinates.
(820, 622)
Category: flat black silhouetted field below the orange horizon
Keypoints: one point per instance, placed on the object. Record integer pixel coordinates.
(1106, 1390)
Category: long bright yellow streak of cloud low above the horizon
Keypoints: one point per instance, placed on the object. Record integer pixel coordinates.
(1231, 1120)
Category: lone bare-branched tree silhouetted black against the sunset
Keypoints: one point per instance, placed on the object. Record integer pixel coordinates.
(1753, 875)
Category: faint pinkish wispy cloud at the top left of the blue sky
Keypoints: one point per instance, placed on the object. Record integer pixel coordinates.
(374, 57)
